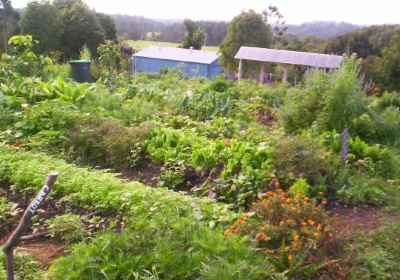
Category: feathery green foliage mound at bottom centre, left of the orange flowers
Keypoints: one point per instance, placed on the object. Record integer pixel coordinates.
(159, 244)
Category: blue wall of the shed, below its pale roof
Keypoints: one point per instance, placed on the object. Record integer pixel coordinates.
(144, 64)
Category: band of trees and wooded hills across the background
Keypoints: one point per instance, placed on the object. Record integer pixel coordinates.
(63, 26)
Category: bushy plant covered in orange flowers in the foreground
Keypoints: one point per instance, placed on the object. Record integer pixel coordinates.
(291, 230)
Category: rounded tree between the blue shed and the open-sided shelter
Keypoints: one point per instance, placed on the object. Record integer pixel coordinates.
(247, 29)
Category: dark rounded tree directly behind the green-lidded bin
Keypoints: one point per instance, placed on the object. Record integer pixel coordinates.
(81, 27)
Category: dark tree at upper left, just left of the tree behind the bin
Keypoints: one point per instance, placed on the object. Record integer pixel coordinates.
(44, 22)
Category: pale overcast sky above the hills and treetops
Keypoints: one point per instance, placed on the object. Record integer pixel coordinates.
(295, 11)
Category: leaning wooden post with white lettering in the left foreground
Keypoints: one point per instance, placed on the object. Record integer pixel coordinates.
(15, 237)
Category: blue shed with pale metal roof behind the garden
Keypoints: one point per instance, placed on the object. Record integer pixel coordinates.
(194, 63)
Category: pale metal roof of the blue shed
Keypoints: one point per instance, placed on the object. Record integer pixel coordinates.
(178, 54)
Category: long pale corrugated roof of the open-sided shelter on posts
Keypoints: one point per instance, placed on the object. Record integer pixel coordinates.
(289, 57)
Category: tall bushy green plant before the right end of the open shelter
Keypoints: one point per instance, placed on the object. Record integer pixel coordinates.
(332, 101)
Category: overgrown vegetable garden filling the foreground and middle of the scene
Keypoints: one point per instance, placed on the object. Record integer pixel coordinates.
(164, 177)
